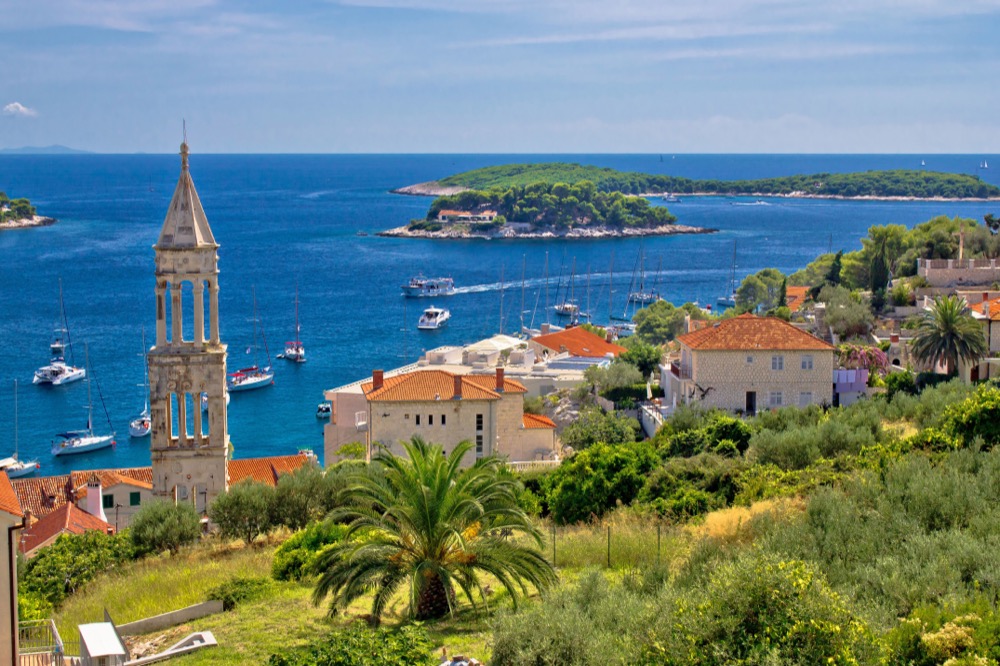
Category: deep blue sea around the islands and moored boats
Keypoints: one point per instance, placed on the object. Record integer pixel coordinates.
(291, 221)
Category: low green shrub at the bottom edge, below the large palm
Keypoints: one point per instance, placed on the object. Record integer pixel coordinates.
(361, 646)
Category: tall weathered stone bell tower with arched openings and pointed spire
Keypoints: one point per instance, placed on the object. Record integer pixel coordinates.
(189, 451)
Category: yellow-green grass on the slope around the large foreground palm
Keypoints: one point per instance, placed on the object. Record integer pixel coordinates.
(286, 617)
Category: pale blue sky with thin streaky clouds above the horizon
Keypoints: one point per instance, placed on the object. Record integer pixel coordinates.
(502, 76)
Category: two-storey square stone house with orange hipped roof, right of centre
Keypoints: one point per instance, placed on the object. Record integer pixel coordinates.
(749, 363)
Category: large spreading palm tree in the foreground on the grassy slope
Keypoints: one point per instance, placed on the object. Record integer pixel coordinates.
(423, 522)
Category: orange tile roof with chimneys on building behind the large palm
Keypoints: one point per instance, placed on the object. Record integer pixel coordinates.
(431, 385)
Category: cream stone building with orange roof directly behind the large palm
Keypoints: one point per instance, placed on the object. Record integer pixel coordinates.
(443, 408)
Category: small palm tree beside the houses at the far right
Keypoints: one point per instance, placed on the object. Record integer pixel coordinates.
(948, 334)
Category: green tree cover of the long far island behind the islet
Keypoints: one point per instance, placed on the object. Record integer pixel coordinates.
(898, 183)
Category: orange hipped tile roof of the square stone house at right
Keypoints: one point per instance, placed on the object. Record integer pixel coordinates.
(750, 332)
